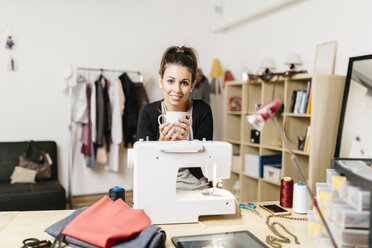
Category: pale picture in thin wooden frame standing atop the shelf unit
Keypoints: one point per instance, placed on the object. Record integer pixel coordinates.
(325, 58)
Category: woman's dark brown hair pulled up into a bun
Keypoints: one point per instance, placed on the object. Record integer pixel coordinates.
(183, 56)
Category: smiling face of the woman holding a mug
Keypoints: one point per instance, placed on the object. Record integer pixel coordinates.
(176, 86)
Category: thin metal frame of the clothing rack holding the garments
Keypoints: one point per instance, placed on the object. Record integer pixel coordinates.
(70, 158)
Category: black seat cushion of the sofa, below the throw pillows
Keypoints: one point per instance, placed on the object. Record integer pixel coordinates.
(43, 195)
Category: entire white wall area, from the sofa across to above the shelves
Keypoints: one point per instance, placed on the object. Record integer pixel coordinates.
(132, 35)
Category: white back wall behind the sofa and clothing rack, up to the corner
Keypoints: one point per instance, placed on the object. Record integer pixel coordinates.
(128, 35)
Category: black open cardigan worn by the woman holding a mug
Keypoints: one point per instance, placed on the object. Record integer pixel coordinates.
(202, 124)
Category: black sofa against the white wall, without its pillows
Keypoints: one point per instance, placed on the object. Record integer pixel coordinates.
(45, 194)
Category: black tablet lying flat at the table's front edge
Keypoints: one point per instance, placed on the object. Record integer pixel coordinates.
(222, 240)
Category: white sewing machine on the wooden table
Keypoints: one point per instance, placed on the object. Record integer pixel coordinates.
(156, 164)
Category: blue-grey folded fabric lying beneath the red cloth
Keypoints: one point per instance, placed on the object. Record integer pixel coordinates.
(151, 237)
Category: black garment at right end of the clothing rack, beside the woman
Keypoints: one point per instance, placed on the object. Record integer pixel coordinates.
(135, 99)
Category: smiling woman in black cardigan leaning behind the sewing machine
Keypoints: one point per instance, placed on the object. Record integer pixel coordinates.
(177, 78)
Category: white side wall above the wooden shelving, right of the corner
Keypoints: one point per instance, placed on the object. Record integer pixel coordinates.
(299, 28)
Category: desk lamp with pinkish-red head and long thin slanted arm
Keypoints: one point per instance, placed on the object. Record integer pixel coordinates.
(263, 114)
